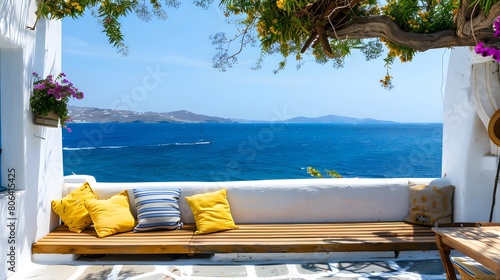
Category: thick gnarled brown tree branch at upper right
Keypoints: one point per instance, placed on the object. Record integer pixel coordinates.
(384, 27)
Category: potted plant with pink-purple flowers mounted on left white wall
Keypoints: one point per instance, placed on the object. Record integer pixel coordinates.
(49, 101)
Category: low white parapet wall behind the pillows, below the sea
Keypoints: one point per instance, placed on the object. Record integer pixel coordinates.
(286, 201)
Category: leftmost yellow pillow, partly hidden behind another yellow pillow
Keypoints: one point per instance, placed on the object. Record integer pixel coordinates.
(71, 209)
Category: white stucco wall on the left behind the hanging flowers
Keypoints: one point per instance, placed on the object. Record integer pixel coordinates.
(32, 153)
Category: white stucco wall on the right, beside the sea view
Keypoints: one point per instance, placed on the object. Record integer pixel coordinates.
(467, 159)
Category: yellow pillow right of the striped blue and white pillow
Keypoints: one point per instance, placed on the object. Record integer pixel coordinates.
(211, 212)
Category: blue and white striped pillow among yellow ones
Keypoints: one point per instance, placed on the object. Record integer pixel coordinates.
(157, 209)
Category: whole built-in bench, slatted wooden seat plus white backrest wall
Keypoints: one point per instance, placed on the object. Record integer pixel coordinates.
(274, 216)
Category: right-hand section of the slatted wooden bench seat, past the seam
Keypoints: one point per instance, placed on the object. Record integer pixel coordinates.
(333, 237)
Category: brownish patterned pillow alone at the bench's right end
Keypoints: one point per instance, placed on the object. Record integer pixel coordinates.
(430, 205)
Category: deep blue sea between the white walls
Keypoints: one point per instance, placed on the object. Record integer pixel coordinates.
(161, 152)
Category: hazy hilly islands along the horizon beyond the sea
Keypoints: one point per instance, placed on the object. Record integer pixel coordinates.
(98, 115)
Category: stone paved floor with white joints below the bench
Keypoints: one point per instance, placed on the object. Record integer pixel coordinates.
(237, 267)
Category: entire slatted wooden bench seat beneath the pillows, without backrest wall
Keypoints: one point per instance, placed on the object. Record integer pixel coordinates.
(248, 238)
